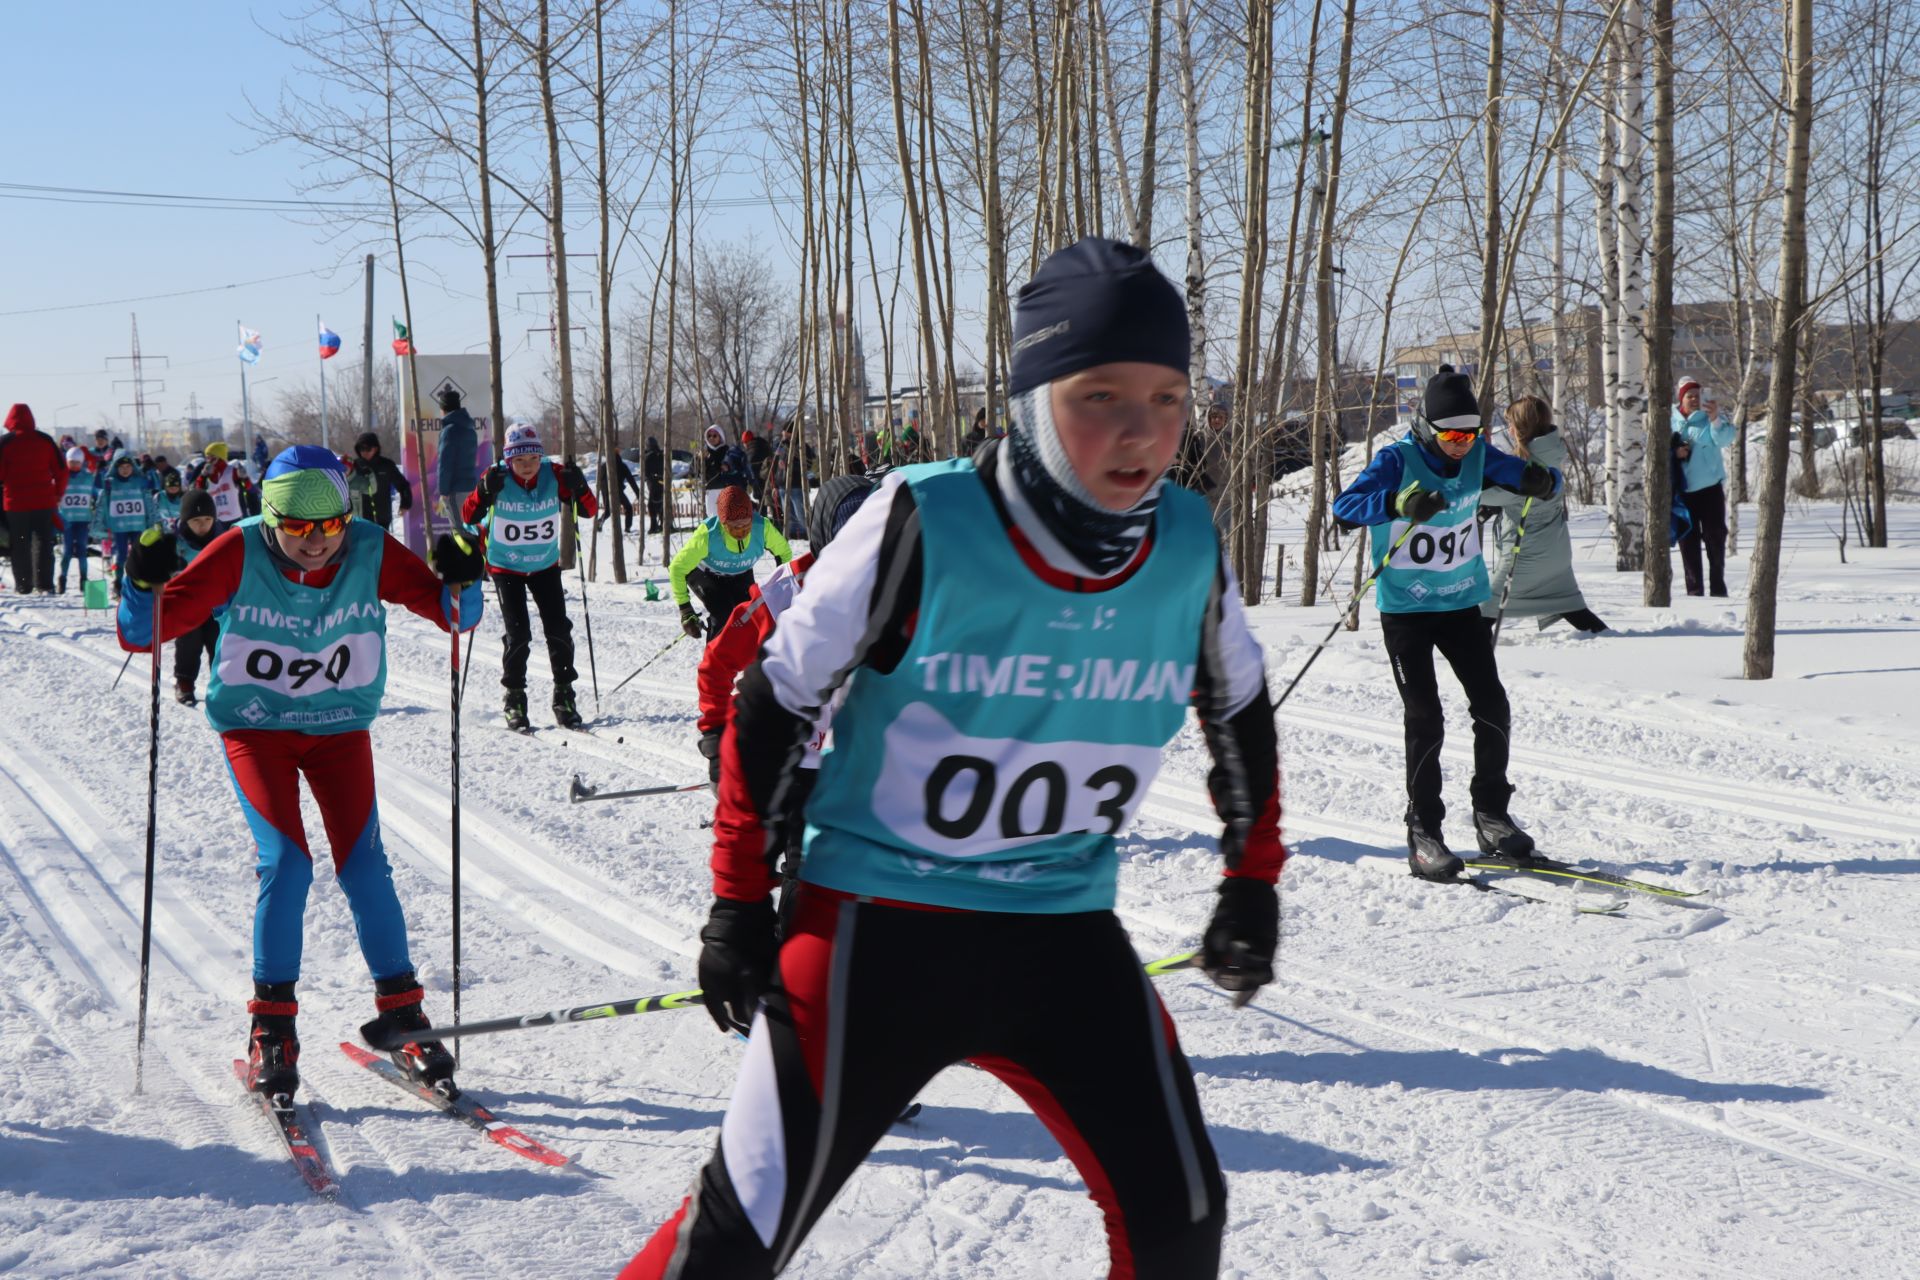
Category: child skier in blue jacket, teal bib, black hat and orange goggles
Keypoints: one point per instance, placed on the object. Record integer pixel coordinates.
(1418, 502)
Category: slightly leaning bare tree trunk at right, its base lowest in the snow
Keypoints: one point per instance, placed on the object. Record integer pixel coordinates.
(1764, 581)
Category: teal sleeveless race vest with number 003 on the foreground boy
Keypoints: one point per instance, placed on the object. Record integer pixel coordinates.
(1020, 732)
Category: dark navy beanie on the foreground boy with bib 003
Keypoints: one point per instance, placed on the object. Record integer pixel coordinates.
(1097, 302)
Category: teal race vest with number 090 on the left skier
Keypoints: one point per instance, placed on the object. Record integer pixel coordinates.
(295, 657)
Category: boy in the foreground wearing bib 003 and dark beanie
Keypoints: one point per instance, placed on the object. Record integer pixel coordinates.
(1019, 638)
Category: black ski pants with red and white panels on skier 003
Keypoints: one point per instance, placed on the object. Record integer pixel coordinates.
(873, 1003)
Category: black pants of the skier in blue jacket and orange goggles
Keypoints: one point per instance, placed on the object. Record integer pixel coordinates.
(1466, 640)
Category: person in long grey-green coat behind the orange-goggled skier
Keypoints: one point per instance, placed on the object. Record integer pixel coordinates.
(1543, 573)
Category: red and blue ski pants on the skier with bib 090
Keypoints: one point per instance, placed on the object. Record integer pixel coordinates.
(268, 767)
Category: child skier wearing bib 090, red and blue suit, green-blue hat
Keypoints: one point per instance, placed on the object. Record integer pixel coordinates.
(299, 676)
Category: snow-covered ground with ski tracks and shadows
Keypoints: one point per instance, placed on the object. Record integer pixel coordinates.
(1441, 1083)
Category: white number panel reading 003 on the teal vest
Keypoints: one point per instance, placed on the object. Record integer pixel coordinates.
(972, 797)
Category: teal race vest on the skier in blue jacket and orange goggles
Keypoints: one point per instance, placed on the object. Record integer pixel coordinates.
(1439, 567)
